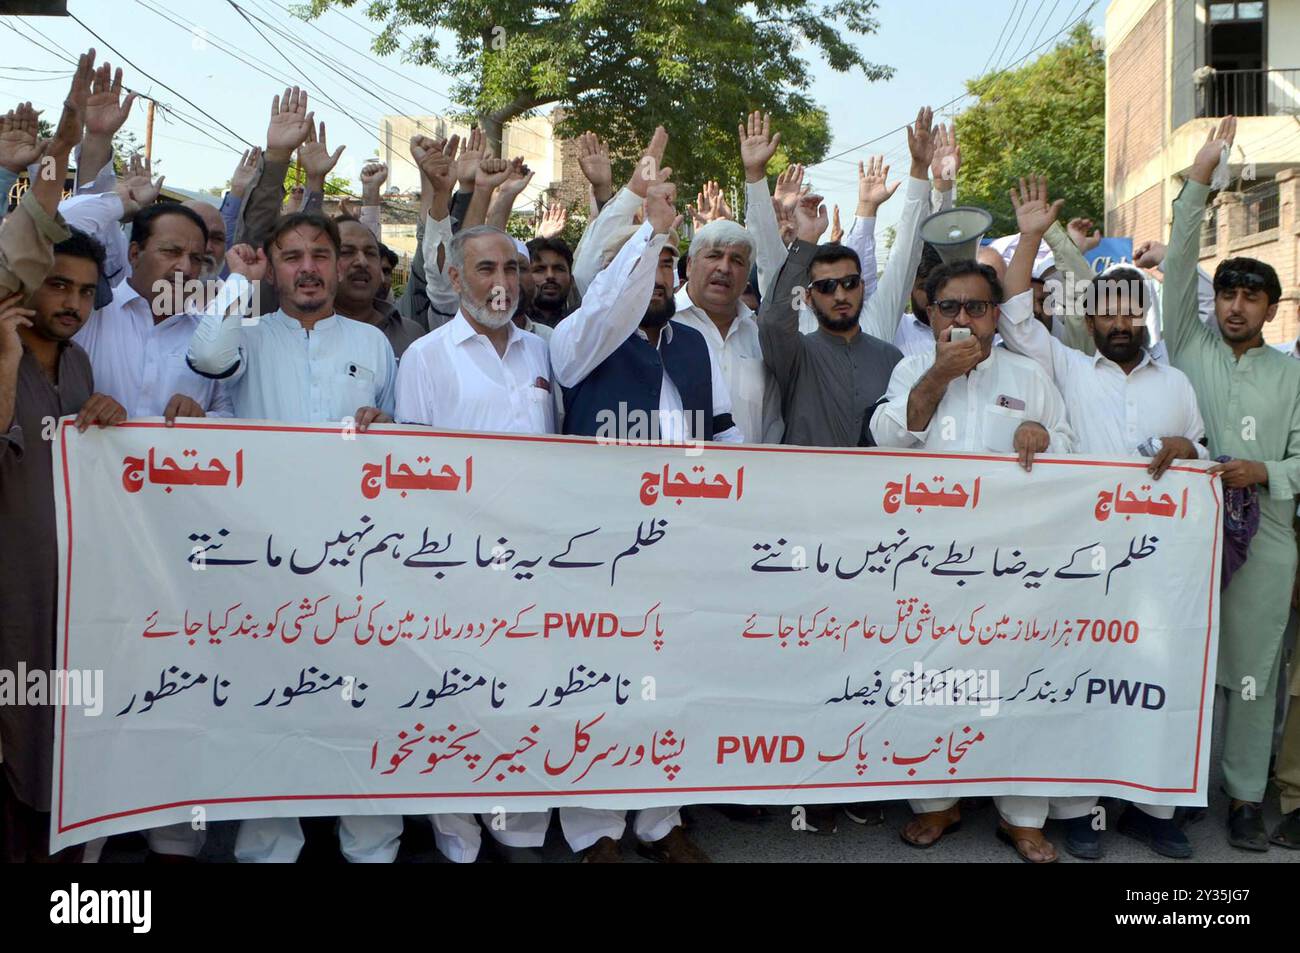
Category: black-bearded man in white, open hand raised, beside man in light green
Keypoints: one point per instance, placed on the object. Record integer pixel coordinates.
(1117, 400)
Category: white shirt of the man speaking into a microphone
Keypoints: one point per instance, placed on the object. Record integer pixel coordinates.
(973, 417)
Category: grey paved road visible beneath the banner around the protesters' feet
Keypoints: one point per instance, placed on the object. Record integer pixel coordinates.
(775, 841)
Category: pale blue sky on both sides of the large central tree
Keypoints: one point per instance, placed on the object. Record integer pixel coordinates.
(934, 46)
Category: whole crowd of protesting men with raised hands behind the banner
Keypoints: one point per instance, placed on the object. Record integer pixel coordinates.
(751, 332)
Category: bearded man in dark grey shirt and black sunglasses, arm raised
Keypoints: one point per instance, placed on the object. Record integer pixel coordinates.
(830, 378)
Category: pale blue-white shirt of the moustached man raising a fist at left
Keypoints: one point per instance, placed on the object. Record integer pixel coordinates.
(276, 370)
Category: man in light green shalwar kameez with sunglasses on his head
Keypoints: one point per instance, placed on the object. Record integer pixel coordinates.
(1250, 395)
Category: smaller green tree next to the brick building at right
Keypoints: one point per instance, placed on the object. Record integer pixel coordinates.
(1047, 118)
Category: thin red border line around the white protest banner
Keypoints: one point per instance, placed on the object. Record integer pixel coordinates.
(713, 448)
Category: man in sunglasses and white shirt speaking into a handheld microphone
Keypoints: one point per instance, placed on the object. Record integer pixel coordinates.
(969, 396)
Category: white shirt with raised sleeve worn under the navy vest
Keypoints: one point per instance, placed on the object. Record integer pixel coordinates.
(610, 313)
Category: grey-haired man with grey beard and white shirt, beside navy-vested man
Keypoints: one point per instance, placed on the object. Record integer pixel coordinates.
(480, 371)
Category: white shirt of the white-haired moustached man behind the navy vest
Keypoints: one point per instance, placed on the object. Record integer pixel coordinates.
(755, 396)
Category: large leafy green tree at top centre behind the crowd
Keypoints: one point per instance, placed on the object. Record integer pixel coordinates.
(621, 68)
